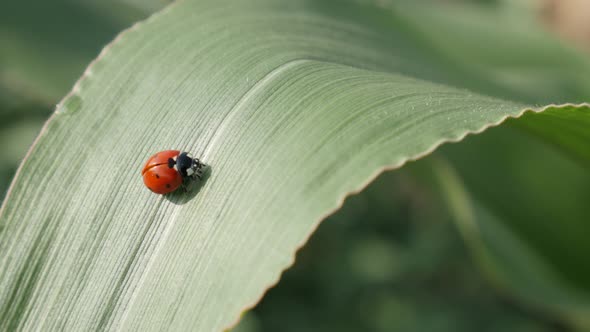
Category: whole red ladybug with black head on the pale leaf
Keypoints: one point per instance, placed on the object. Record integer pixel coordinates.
(168, 170)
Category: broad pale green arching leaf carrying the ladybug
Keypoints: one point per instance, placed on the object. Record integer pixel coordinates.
(292, 106)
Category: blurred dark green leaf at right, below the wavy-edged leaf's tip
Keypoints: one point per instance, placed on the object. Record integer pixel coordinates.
(523, 222)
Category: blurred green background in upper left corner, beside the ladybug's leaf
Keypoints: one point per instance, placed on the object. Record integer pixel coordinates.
(42, 51)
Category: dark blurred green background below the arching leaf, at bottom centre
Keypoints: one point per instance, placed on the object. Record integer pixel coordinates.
(390, 260)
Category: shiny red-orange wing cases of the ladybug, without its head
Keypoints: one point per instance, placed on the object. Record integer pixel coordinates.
(158, 176)
